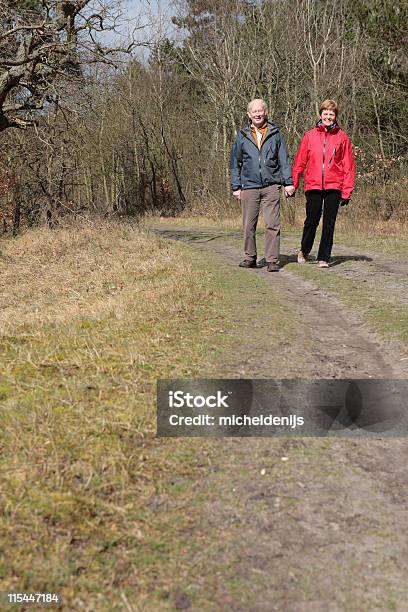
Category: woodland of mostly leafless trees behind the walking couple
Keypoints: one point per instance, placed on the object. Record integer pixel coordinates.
(147, 127)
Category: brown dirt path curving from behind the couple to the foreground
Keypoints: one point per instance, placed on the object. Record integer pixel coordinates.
(305, 525)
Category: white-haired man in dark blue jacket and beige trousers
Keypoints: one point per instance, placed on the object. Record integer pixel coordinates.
(259, 166)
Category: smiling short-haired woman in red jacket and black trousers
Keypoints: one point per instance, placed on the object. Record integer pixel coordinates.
(326, 153)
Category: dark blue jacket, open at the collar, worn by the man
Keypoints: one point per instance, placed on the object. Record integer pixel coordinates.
(252, 167)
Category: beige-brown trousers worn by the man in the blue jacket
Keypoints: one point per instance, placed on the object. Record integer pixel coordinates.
(252, 201)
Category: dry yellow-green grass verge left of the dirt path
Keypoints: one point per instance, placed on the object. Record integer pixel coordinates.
(90, 319)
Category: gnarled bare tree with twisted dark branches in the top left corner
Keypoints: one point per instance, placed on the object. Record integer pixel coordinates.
(43, 44)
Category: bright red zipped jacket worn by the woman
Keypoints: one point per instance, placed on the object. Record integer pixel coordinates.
(329, 161)
